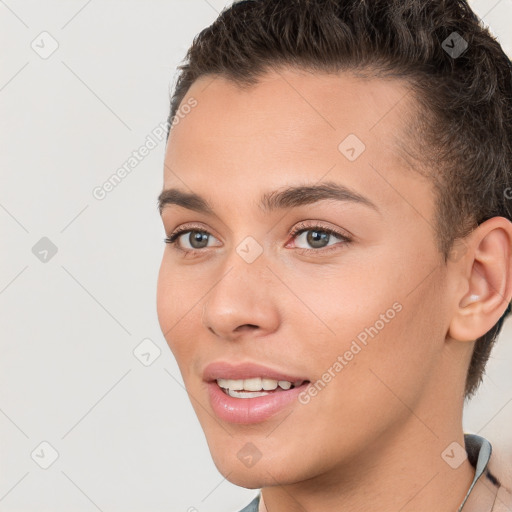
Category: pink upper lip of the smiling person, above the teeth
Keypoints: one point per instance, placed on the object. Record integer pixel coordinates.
(225, 370)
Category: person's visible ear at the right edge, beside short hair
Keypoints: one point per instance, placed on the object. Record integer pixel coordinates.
(486, 278)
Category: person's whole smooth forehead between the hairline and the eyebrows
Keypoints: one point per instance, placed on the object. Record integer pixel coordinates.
(295, 125)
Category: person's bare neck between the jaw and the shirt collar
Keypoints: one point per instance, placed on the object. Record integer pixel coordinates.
(400, 471)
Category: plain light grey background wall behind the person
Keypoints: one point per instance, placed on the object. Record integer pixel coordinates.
(126, 435)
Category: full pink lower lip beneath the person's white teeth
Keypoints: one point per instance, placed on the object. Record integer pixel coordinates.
(250, 410)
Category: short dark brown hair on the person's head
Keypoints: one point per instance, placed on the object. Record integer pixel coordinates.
(461, 130)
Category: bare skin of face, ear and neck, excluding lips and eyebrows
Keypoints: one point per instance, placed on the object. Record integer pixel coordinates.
(372, 439)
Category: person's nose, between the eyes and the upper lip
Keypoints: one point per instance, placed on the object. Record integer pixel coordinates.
(242, 302)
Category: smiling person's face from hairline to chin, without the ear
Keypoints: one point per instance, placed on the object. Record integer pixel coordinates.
(337, 290)
